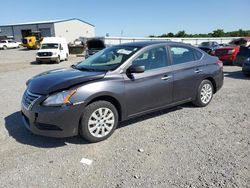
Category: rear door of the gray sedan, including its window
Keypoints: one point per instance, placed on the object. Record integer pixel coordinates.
(187, 71)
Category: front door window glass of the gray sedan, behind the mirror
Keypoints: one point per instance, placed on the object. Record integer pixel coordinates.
(152, 59)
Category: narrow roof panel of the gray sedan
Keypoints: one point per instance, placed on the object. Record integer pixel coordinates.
(149, 43)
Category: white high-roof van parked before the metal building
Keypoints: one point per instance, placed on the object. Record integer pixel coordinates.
(53, 49)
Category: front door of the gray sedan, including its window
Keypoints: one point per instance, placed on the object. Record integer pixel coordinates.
(153, 88)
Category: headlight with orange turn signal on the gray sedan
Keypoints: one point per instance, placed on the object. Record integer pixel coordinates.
(59, 99)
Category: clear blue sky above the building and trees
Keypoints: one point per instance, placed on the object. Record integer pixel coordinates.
(135, 18)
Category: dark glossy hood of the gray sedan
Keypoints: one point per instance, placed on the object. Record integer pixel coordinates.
(60, 79)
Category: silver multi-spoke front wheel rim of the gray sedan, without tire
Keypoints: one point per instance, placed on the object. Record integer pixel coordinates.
(101, 122)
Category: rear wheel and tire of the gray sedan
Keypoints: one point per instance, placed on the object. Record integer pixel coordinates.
(204, 94)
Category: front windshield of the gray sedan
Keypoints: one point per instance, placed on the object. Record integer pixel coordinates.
(107, 59)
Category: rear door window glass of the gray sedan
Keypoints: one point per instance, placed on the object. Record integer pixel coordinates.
(182, 55)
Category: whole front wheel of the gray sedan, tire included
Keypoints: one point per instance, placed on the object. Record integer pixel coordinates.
(95, 127)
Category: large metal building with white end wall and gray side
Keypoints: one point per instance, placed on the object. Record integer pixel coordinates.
(70, 29)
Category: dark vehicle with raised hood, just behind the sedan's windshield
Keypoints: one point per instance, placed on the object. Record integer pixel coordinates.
(93, 46)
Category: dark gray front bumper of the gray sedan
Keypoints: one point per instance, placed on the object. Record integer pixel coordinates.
(57, 122)
